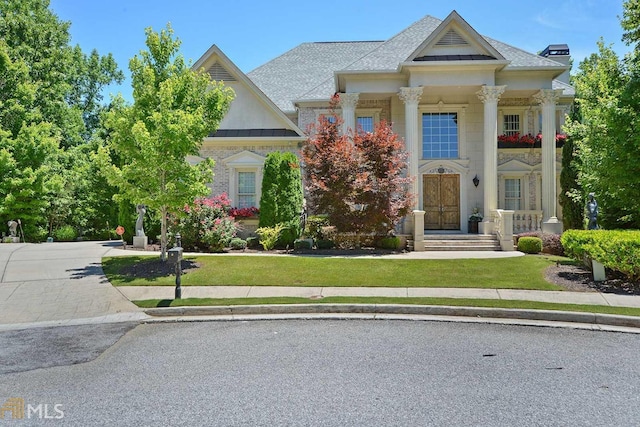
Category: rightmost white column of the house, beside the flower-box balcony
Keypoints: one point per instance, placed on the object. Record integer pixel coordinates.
(547, 99)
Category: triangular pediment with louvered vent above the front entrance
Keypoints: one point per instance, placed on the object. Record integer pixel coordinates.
(455, 40)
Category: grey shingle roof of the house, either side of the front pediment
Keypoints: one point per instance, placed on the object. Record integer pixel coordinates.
(307, 71)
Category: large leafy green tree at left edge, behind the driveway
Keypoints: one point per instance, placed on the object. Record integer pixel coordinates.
(50, 99)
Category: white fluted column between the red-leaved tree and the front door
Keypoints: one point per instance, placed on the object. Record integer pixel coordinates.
(411, 98)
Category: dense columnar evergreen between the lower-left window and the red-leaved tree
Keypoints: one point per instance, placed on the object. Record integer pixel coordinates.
(281, 199)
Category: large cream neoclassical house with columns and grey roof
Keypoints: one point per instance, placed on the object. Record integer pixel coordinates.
(450, 92)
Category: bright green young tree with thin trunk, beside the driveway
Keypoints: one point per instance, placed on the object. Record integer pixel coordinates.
(174, 108)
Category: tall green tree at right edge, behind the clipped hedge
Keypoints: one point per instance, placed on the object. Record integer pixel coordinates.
(607, 137)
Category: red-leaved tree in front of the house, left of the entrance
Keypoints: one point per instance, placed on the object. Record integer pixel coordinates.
(357, 179)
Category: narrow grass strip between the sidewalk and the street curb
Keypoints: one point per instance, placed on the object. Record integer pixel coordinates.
(467, 302)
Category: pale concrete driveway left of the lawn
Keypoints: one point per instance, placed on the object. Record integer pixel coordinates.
(58, 283)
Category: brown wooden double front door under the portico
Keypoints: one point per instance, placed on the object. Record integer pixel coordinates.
(441, 201)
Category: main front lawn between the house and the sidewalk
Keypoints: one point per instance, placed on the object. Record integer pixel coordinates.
(498, 273)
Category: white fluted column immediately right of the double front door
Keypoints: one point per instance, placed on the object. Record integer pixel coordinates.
(490, 95)
